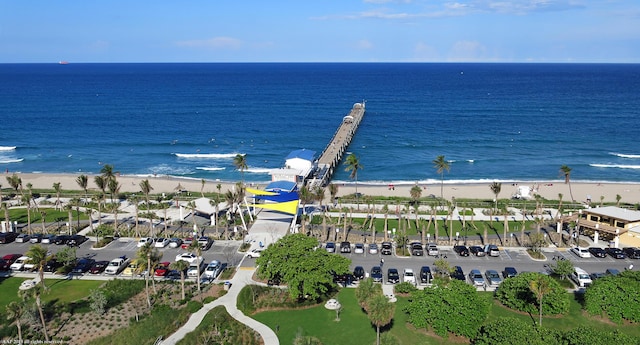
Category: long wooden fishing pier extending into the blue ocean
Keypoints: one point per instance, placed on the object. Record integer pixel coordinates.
(338, 145)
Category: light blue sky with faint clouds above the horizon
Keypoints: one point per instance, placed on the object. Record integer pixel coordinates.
(542, 31)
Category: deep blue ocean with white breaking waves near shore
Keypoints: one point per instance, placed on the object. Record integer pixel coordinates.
(492, 122)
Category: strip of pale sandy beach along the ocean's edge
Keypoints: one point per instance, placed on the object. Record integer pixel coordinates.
(629, 192)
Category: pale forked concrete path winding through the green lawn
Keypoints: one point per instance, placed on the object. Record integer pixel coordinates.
(242, 277)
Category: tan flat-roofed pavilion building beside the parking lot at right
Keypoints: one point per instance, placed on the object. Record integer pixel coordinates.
(610, 223)
